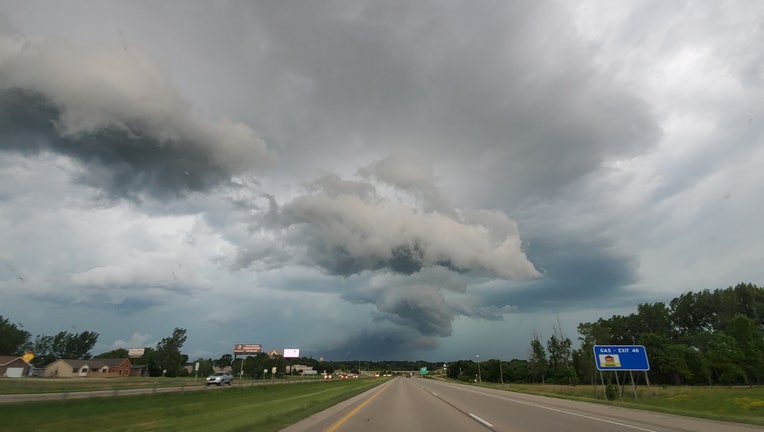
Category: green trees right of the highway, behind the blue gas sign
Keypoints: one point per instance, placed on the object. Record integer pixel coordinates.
(706, 337)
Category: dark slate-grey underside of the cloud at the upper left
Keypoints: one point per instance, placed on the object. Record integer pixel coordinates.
(113, 160)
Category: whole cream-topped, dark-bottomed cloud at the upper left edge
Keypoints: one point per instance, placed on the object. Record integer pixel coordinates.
(119, 112)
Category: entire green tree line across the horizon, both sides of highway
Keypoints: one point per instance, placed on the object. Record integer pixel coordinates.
(706, 337)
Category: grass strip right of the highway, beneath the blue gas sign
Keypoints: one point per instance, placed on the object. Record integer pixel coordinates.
(735, 404)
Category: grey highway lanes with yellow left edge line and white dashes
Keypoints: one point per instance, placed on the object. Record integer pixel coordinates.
(414, 404)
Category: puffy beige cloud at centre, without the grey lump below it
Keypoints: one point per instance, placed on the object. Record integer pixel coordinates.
(347, 227)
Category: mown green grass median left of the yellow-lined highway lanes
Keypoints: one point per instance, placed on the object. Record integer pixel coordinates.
(261, 408)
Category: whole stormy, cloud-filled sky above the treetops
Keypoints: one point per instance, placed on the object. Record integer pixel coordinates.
(371, 180)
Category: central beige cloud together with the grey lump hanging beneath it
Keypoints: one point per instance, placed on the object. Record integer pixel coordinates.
(383, 225)
